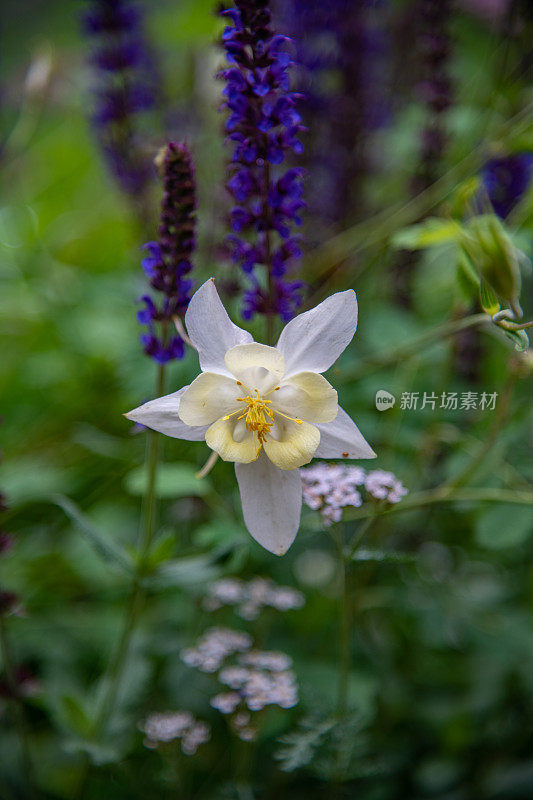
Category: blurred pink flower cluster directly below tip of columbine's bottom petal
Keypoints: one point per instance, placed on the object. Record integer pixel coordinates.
(250, 597)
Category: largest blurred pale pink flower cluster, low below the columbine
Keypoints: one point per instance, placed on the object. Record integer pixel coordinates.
(255, 678)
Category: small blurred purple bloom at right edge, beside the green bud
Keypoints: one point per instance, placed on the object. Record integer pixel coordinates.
(506, 179)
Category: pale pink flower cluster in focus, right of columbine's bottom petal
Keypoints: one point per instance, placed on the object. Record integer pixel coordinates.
(329, 488)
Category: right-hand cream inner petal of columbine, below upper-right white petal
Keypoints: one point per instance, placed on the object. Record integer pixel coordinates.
(307, 396)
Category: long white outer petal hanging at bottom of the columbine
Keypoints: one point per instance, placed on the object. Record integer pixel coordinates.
(271, 503)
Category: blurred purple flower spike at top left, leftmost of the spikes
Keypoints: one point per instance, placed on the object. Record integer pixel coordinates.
(126, 85)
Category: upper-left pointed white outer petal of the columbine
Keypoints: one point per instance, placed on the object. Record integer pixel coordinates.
(210, 329)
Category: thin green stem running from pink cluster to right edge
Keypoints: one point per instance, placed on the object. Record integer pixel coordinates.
(444, 494)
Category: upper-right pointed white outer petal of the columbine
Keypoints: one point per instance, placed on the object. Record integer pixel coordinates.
(314, 340)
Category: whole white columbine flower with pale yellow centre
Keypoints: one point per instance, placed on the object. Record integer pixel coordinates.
(267, 408)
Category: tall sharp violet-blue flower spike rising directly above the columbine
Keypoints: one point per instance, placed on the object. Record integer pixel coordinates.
(263, 126)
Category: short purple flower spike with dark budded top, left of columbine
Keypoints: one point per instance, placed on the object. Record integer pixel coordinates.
(167, 263)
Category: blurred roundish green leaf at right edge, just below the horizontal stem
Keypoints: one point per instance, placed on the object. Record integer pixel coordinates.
(504, 526)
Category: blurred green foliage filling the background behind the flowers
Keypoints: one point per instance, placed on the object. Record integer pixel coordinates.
(441, 686)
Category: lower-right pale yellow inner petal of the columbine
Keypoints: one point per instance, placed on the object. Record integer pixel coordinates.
(294, 445)
